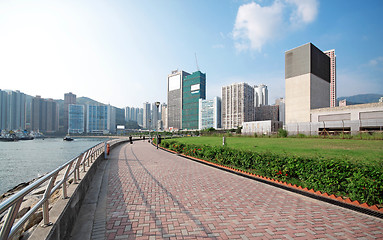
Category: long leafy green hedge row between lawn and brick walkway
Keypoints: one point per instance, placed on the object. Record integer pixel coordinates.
(334, 176)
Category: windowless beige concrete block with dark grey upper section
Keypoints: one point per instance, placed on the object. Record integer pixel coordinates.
(307, 76)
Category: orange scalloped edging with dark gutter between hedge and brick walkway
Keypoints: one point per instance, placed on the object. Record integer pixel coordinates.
(332, 199)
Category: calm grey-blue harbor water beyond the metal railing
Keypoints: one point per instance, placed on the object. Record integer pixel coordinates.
(23, 161)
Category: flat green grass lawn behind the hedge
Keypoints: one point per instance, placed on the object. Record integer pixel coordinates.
(368, 151)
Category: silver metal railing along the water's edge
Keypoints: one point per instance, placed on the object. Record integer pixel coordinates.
(72, 167)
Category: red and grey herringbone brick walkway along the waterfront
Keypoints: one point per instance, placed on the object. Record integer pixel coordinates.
(152, 194)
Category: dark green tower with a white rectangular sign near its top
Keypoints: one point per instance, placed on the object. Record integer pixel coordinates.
(193, 88)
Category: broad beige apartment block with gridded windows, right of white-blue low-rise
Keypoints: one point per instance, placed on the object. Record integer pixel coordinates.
(237, 105)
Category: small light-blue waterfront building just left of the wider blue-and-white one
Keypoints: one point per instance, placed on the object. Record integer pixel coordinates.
(76, 118)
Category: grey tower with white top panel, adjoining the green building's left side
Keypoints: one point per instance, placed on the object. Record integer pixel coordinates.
(175, 87)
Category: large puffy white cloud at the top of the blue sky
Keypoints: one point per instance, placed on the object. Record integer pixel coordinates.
(255, 25)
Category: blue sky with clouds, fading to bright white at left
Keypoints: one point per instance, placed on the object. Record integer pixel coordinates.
(120, 52)
